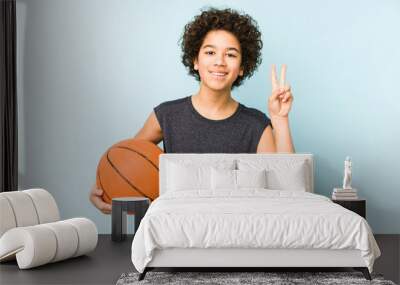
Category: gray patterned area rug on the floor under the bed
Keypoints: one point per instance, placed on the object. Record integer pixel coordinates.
(230, 278)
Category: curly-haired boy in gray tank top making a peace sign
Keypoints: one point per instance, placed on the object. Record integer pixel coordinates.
(220, 48)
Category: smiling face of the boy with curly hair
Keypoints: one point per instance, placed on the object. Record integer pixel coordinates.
(219, 60)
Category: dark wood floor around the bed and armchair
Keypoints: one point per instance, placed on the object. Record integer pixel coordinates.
(110, 260)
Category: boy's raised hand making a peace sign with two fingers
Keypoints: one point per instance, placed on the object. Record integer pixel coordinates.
(281, 99)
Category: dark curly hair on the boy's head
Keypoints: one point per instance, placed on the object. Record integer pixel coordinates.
(242, 26)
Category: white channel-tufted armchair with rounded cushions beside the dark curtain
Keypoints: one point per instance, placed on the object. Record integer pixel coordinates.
(31, 231)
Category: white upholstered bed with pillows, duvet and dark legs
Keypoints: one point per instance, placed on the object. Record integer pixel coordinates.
(247, 210)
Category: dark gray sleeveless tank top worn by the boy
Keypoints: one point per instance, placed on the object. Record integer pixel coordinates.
(186, 131)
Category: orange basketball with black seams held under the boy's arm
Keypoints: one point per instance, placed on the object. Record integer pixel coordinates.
(129, 168)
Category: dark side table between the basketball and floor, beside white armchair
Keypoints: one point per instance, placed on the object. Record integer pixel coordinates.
(120, 207)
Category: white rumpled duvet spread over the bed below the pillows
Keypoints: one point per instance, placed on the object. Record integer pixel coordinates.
(252, 218)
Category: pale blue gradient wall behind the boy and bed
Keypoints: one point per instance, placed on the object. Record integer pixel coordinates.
(90, 72)
